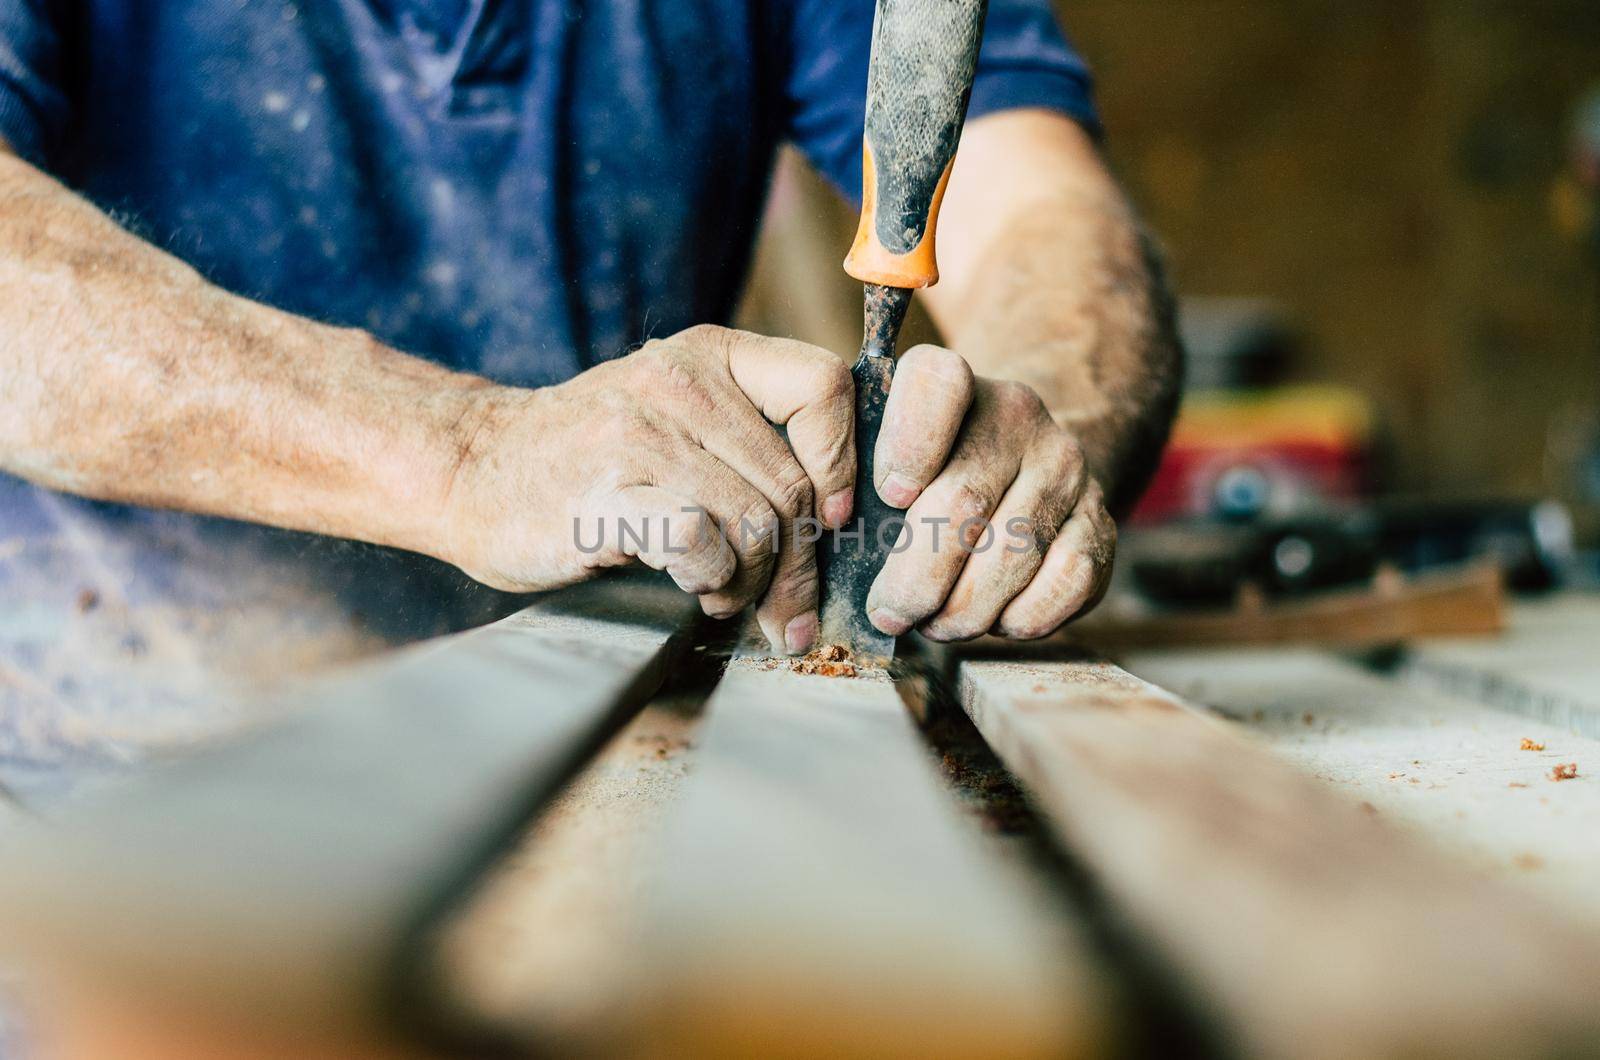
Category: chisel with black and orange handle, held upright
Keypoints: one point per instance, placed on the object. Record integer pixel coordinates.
(919, 81)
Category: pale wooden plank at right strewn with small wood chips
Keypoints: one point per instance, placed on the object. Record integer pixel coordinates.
(1431, 763)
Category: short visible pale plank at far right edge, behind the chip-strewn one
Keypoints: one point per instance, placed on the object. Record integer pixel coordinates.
(1546, 665)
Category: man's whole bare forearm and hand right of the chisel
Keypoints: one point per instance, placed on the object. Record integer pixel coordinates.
(1050, 284)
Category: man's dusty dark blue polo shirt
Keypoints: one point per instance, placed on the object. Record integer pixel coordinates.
(519, 188)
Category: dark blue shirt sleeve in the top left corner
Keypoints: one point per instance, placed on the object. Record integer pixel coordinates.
(33, 105)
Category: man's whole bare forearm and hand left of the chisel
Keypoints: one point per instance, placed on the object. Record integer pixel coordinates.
(126, 377)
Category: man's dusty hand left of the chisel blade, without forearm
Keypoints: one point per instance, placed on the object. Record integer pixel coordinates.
(671, 457)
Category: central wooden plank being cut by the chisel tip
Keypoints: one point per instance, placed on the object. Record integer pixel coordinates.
(820, 896)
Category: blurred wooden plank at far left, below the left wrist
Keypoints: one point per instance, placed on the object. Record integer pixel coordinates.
(292, 878)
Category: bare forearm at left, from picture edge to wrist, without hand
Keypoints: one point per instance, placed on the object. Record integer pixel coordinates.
(124, 375)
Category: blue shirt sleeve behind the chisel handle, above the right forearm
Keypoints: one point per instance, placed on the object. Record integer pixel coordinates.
(1025, 62)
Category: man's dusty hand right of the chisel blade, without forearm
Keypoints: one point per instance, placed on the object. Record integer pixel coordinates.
(1004, 528)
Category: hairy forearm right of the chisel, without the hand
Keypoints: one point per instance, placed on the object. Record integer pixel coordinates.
(1057, 286)
